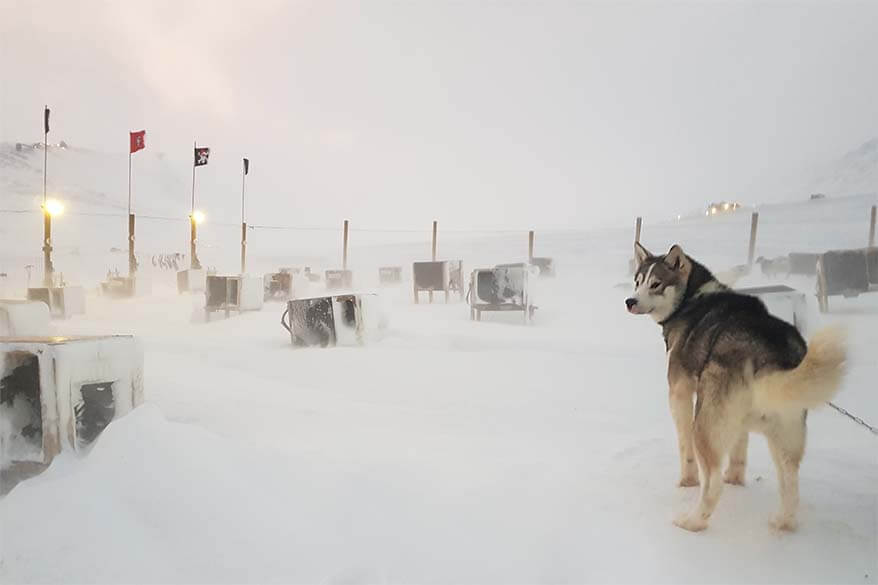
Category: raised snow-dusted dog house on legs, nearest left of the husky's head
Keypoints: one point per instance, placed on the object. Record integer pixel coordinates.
(502, 288)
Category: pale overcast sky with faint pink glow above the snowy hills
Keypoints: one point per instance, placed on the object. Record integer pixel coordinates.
(490, 114)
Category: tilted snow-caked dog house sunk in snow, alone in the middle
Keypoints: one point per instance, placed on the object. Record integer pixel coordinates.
(333, 320)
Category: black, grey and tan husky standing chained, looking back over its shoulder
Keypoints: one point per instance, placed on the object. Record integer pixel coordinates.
(748, 371)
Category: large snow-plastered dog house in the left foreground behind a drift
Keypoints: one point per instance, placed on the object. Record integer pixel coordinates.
(59, 393)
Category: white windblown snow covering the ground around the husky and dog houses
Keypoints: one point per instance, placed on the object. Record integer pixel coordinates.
(448, 451)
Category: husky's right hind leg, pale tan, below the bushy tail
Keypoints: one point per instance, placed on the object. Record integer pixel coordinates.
(786, 441)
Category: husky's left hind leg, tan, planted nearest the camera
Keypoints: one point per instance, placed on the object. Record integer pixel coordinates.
(719, 422)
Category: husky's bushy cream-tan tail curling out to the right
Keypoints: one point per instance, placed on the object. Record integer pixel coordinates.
(813, 382)
